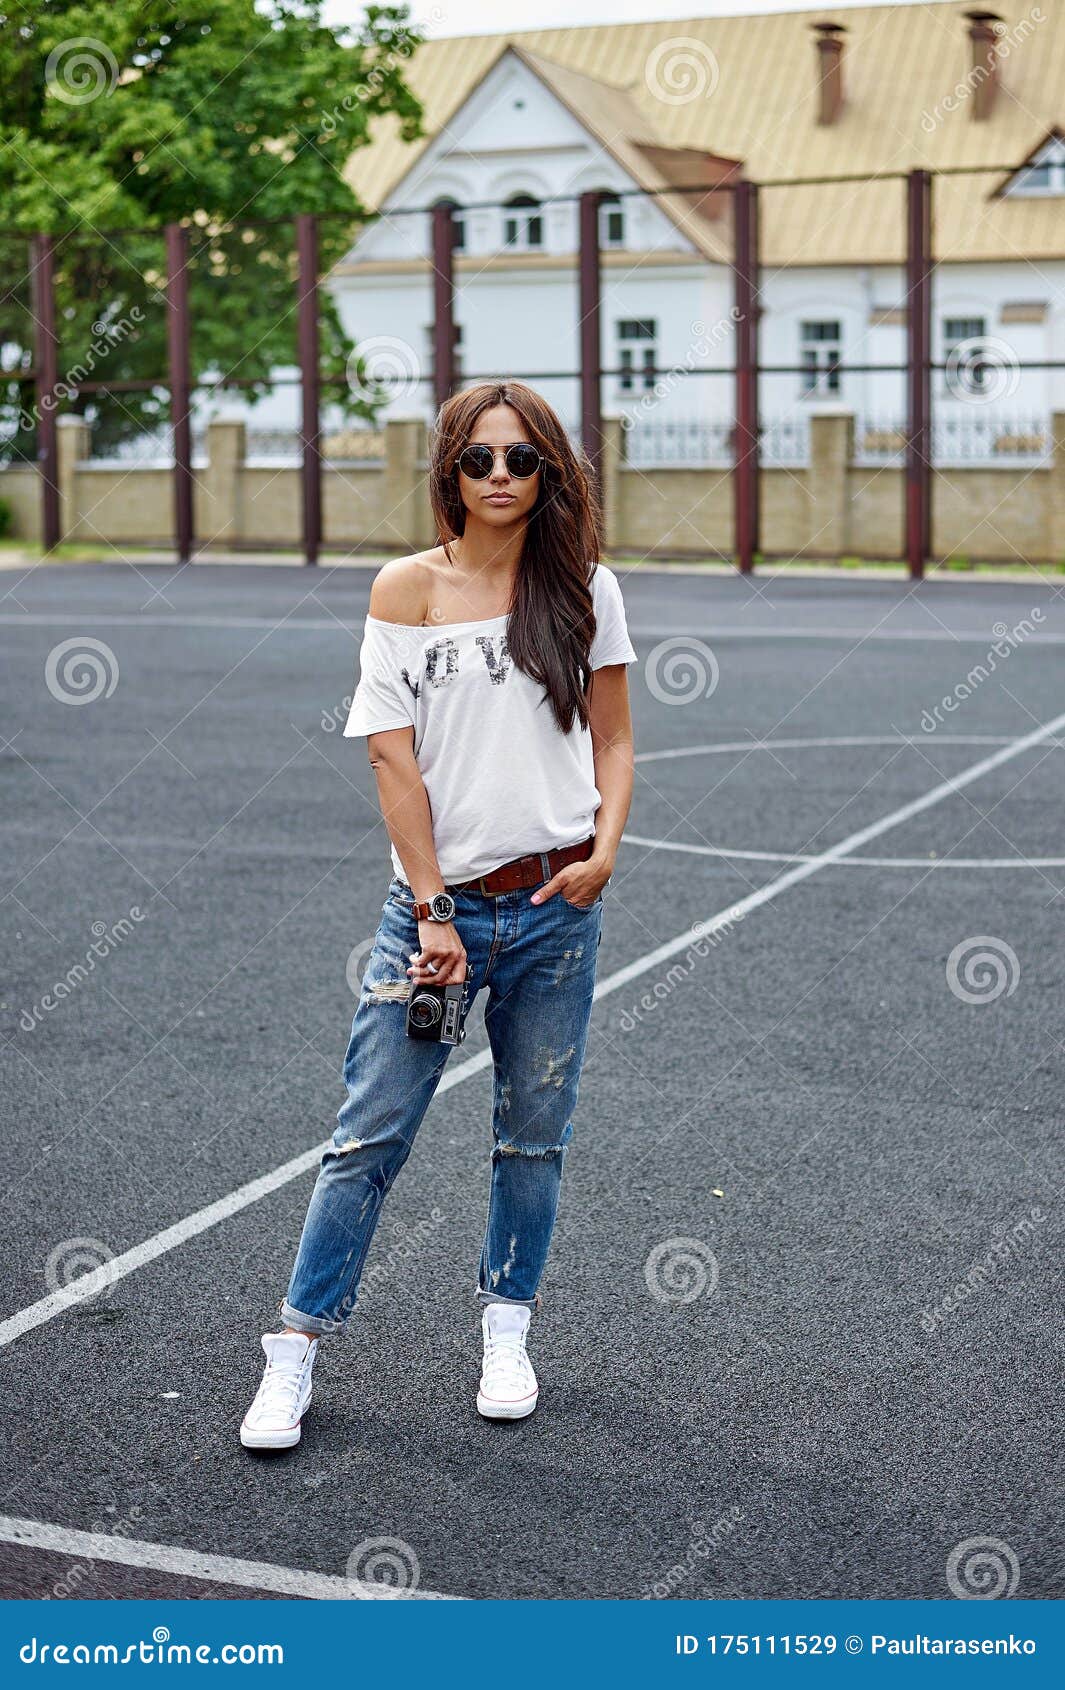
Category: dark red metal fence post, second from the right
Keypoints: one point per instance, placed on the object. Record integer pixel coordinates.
(746, 464)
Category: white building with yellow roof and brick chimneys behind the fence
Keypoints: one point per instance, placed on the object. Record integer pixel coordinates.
(831, 114)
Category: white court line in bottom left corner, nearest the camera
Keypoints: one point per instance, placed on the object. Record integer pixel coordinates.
(212, 1569)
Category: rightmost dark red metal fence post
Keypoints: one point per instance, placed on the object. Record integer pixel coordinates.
(919, 371)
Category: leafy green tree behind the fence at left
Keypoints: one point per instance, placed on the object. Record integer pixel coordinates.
(227, 116)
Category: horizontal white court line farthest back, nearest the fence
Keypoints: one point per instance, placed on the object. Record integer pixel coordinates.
(334, 624)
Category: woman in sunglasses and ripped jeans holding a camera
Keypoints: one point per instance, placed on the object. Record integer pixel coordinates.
(494, 701)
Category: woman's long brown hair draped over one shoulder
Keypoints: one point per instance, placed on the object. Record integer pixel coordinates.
(552, 623)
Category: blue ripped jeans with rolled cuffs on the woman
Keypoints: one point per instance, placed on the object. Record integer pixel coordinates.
(538, 964)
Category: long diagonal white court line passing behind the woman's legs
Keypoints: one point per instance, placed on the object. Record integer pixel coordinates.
(101, 1278)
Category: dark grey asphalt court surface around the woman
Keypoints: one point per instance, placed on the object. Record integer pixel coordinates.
(789, 1431)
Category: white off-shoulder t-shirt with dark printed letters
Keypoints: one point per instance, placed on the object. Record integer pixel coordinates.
(501, 778)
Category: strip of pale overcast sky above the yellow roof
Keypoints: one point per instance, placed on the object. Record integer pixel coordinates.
(484, 18)
